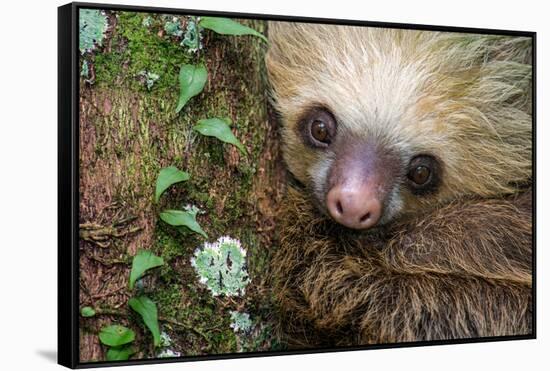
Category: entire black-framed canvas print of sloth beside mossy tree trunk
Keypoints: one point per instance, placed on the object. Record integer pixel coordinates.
(236, 185)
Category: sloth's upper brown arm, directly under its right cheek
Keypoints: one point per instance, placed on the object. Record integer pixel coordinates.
(489, 238)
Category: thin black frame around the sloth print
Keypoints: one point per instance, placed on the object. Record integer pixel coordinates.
(68, 181)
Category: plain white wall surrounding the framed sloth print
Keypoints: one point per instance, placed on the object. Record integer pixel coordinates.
(28, 152)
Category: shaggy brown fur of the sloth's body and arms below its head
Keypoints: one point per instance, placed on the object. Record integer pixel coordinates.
(462, 271)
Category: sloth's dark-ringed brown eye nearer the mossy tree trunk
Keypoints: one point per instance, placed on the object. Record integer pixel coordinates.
(318, 128)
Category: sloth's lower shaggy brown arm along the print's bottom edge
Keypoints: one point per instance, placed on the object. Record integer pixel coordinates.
(353, 295)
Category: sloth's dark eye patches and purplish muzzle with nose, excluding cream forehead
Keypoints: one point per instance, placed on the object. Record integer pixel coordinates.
(360, 182)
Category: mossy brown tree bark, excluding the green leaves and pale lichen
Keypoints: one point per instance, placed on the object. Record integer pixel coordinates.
(127, 134)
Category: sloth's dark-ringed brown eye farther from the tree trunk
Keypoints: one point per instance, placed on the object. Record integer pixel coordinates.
(423, 174)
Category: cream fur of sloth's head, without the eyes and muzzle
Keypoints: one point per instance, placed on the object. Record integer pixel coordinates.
(463, 98)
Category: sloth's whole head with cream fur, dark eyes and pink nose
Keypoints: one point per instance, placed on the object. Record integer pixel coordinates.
(383, 124)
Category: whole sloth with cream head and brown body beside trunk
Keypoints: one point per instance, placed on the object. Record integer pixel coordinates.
(409, 213)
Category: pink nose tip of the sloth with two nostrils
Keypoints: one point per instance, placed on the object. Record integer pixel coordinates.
(354, 207)
